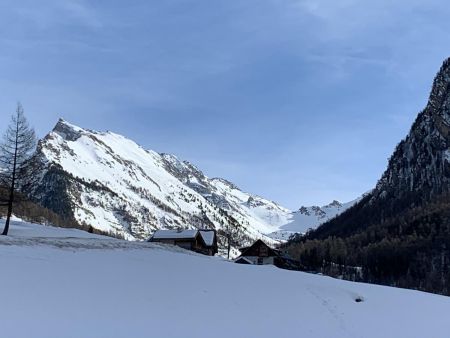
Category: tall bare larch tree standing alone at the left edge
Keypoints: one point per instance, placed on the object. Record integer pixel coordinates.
(19, 142)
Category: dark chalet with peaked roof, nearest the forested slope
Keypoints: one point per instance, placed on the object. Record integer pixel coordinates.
(259, 253)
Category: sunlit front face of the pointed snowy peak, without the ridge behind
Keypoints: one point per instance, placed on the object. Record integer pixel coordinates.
(113, 185)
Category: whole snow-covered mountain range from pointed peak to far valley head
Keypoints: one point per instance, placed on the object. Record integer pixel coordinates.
(109, 184)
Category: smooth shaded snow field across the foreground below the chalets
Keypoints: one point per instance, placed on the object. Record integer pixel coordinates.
(67, 283)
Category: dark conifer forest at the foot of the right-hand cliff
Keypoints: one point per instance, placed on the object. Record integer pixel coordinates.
(409, 249)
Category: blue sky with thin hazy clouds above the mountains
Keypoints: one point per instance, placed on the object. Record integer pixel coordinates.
(300, 101)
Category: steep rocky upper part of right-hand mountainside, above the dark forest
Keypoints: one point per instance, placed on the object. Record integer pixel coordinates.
(418, 171)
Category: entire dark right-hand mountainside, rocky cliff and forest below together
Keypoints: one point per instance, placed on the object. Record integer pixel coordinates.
(399, 233)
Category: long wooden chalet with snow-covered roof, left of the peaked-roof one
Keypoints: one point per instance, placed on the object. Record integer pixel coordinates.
(201, 241)
